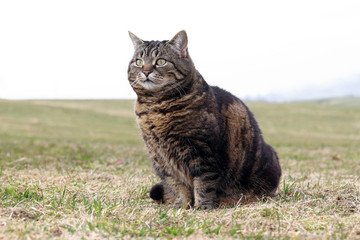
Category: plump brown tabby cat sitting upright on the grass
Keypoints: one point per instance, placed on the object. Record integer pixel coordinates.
(204, 143)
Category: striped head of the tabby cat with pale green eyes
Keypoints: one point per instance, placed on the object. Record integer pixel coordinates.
(159, 66)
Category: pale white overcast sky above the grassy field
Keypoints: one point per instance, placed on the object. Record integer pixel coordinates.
(254, 49)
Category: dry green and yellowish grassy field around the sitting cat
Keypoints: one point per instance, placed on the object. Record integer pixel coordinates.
(79, 170)
